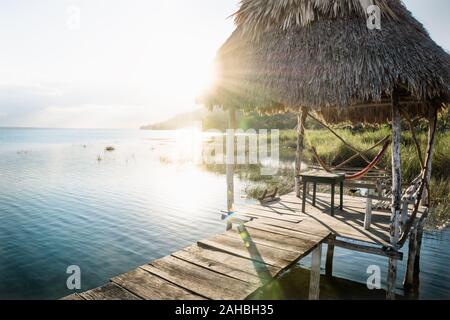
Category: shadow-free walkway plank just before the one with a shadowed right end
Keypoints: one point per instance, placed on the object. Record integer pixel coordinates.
(202, 281)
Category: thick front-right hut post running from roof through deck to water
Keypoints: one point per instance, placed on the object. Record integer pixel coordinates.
(396, 193)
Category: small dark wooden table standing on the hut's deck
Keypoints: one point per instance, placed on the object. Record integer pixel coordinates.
(323, 177)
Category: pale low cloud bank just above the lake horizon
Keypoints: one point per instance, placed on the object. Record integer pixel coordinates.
(78, 107)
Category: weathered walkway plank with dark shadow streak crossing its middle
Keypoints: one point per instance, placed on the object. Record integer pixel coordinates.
(257, 252)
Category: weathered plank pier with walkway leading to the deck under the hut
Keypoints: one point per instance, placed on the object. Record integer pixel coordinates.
(238, 262)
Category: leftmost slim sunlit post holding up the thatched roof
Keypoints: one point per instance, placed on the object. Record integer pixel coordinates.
(230, 162)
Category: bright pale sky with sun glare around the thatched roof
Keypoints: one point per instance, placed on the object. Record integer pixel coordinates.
(122, 63)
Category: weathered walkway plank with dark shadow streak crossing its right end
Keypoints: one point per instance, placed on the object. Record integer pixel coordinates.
(229, 265)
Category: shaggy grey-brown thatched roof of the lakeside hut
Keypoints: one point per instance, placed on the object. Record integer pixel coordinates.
(320, 54)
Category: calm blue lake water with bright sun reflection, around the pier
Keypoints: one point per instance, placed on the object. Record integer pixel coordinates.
(65, 201)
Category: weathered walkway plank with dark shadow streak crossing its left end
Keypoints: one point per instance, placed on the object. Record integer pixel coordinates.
(274, 240)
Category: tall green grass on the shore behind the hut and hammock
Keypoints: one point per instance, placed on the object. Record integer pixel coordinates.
(333, 152)
